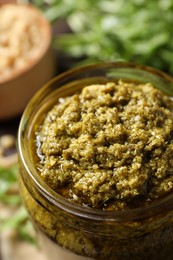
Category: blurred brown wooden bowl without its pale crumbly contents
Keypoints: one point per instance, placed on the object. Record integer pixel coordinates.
(20, 84)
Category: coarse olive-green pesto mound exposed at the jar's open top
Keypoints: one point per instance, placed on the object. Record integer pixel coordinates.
(110, 146)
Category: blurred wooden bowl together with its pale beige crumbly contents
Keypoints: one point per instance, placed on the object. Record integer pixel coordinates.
(26, 56)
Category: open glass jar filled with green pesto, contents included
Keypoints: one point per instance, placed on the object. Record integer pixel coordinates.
(96, 171)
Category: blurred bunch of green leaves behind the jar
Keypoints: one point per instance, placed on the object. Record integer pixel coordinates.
(139, 31)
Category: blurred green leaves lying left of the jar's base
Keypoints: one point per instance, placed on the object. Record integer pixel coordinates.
(9, 197)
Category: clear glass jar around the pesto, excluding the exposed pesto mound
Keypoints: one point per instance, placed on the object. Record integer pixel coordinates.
(68, 231)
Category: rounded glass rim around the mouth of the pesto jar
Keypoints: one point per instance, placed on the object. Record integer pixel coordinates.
(158, 207)
